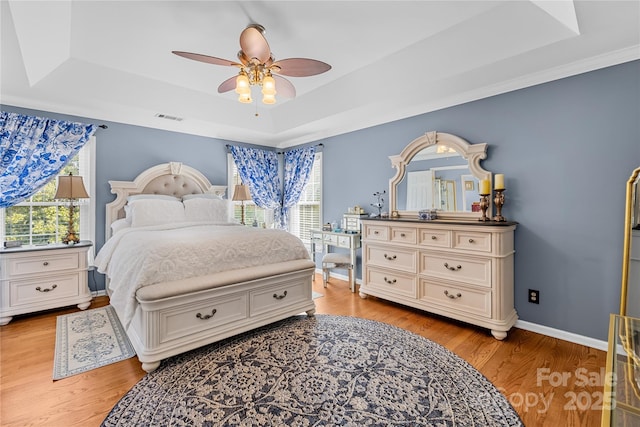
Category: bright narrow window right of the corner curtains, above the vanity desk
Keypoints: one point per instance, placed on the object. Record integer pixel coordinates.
(307, 213)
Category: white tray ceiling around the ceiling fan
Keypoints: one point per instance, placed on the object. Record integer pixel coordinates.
(112, 60)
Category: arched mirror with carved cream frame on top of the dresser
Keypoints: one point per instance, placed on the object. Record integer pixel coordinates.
(438, 171)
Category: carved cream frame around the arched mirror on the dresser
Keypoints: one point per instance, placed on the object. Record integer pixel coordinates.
(473, 153)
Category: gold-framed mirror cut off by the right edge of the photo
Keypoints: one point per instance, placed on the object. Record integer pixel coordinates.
(630, 290)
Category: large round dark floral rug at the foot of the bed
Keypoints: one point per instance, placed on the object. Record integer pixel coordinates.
(316, 371)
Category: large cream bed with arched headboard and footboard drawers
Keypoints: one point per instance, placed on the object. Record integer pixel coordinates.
(179, 280)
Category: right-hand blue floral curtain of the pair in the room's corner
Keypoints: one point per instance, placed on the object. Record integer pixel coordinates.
(297, 169)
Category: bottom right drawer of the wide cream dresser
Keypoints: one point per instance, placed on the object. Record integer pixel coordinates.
(461, 299)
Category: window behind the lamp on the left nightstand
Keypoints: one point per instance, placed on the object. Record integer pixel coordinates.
(42, 219)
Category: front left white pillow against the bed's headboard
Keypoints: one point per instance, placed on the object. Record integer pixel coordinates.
(146, 212)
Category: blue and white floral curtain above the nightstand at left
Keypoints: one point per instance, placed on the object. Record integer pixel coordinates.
(33, 150)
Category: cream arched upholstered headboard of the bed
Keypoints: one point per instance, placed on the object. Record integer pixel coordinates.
(172, 178)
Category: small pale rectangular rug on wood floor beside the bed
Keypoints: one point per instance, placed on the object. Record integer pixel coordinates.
(87, 340)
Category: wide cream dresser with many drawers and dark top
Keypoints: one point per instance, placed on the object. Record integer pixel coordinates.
(458, 269)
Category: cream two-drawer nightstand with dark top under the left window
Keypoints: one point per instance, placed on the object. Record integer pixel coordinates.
(35, 278)
